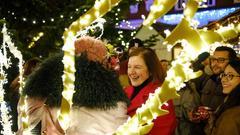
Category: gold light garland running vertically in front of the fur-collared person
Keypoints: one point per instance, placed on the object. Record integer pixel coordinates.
(99, 9)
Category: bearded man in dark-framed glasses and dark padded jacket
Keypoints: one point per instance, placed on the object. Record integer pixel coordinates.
(211, 94)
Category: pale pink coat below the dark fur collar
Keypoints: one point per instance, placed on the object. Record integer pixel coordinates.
(84, 121)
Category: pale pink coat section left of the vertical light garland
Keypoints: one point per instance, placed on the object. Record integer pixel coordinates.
(38, 112)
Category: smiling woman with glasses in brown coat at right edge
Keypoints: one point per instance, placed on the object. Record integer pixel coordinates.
(227, 118)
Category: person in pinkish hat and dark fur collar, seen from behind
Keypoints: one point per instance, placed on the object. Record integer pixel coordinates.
(99, 103)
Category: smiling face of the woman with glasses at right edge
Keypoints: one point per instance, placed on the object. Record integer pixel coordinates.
(230, 79)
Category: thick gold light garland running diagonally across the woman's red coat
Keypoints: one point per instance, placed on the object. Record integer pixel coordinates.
(176, 75)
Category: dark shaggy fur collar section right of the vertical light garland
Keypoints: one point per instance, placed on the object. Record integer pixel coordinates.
(96, 86)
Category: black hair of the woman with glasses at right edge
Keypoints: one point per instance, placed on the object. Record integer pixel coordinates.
(234, 95)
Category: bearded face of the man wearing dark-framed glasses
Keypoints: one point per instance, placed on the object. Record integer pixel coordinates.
(219, 61)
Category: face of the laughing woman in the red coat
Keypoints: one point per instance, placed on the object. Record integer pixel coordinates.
(137, 70)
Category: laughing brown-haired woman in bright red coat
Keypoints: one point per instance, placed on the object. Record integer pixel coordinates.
(146, 75)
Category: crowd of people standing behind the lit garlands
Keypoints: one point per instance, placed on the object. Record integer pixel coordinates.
(105, 98)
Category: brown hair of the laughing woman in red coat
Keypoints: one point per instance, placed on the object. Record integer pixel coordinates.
(153, 64)
